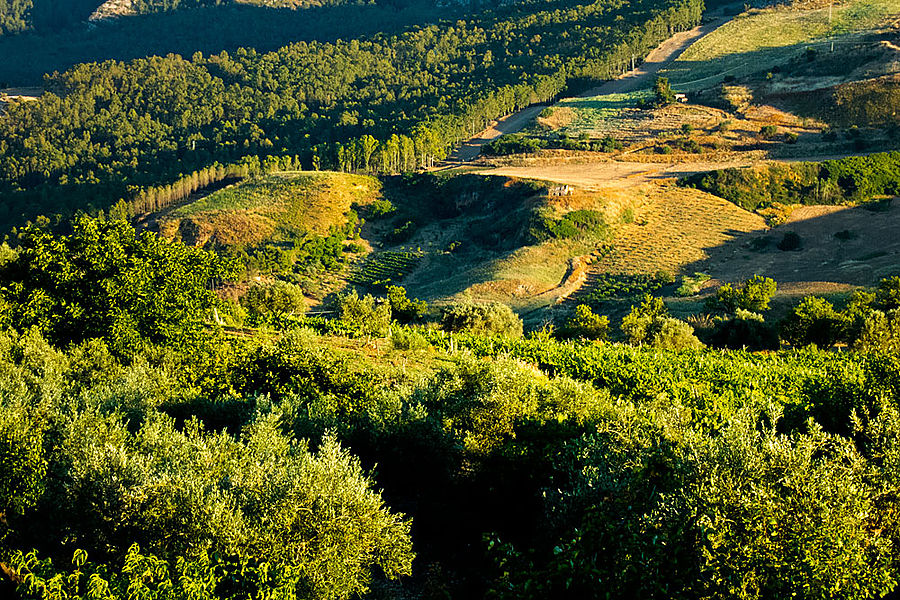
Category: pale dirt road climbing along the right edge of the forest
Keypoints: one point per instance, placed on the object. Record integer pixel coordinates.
(663, 54)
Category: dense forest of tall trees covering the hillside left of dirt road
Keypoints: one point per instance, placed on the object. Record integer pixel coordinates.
(105, 131)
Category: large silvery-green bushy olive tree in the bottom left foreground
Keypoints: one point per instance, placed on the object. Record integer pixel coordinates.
(188, 496)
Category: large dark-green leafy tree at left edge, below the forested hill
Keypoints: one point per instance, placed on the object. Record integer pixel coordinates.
(106, 281)
